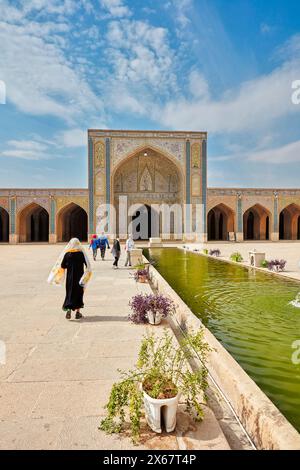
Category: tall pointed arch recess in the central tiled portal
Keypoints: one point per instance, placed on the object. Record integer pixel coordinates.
(145, 180)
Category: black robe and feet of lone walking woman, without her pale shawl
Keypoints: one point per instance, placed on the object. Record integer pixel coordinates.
(74, 262)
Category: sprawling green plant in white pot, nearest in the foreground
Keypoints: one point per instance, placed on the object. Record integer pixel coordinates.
(160, 377)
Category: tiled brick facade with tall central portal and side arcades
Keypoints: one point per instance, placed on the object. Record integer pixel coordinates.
(149, 168)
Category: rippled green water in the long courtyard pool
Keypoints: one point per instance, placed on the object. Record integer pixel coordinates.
(248, 312)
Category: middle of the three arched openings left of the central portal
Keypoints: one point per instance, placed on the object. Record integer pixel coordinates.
(33, 224)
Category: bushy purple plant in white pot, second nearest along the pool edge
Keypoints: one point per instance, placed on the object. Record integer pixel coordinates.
(150, 308)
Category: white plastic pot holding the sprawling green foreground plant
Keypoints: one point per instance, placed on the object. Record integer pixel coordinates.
(155, 409)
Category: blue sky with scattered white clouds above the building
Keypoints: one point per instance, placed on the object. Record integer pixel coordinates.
(222, 66)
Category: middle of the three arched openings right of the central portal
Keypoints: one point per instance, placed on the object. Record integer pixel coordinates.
(257, 223)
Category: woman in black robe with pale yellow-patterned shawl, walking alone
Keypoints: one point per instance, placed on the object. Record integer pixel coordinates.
(74, 260)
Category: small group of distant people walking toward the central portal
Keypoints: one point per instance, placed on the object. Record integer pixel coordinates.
(102, 243)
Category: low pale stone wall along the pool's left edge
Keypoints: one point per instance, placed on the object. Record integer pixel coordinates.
(268, 428)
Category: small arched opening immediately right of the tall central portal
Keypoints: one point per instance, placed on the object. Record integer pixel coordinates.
(220, 222)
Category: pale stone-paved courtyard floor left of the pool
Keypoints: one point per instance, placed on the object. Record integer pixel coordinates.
(58, 373)
